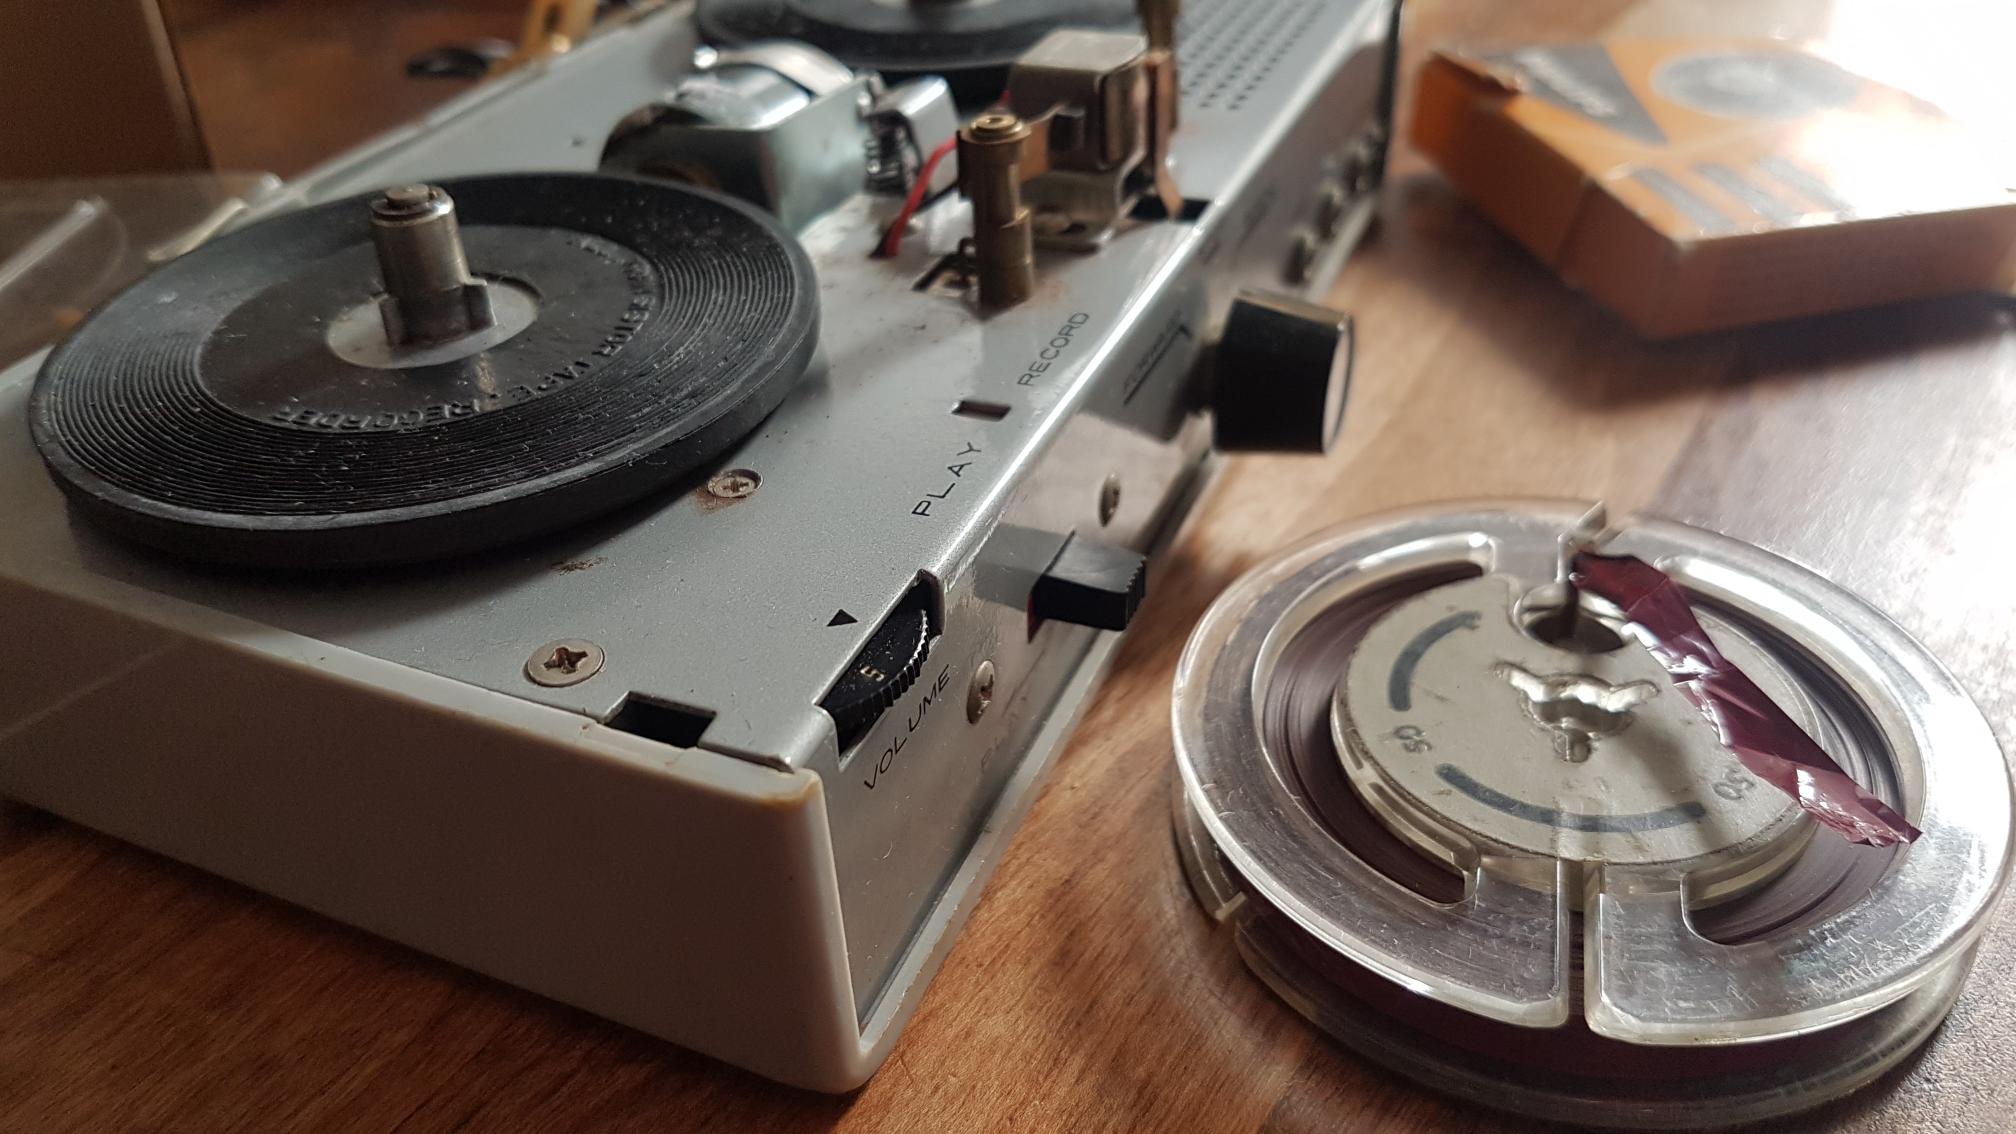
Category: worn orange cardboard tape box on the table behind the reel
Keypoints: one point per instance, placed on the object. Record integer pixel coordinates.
(1703, 185)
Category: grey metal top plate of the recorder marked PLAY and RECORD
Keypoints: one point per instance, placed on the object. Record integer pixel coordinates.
(868, 475)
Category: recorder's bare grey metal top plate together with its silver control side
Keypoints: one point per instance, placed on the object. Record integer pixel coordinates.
(870, 475)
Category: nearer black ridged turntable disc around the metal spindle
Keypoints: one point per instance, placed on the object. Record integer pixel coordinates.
(205, 411)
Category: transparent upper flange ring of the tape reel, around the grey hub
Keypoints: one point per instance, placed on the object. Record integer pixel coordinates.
(1505, 949)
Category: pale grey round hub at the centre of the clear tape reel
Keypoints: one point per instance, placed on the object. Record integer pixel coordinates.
(1473, 740)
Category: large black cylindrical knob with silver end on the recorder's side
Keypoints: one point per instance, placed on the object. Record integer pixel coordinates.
(1283, 374)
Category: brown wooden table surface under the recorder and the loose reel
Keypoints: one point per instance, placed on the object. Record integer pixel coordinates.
(1090, 992)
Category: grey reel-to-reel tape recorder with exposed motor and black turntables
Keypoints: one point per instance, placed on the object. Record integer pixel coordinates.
(638, 532)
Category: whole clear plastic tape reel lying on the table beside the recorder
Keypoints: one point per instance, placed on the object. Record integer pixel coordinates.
(1519, 867)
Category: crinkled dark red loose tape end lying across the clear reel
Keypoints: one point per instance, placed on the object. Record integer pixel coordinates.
(1763, 735)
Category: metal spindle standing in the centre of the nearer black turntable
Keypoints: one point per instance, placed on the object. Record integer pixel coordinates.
(430, 294)
